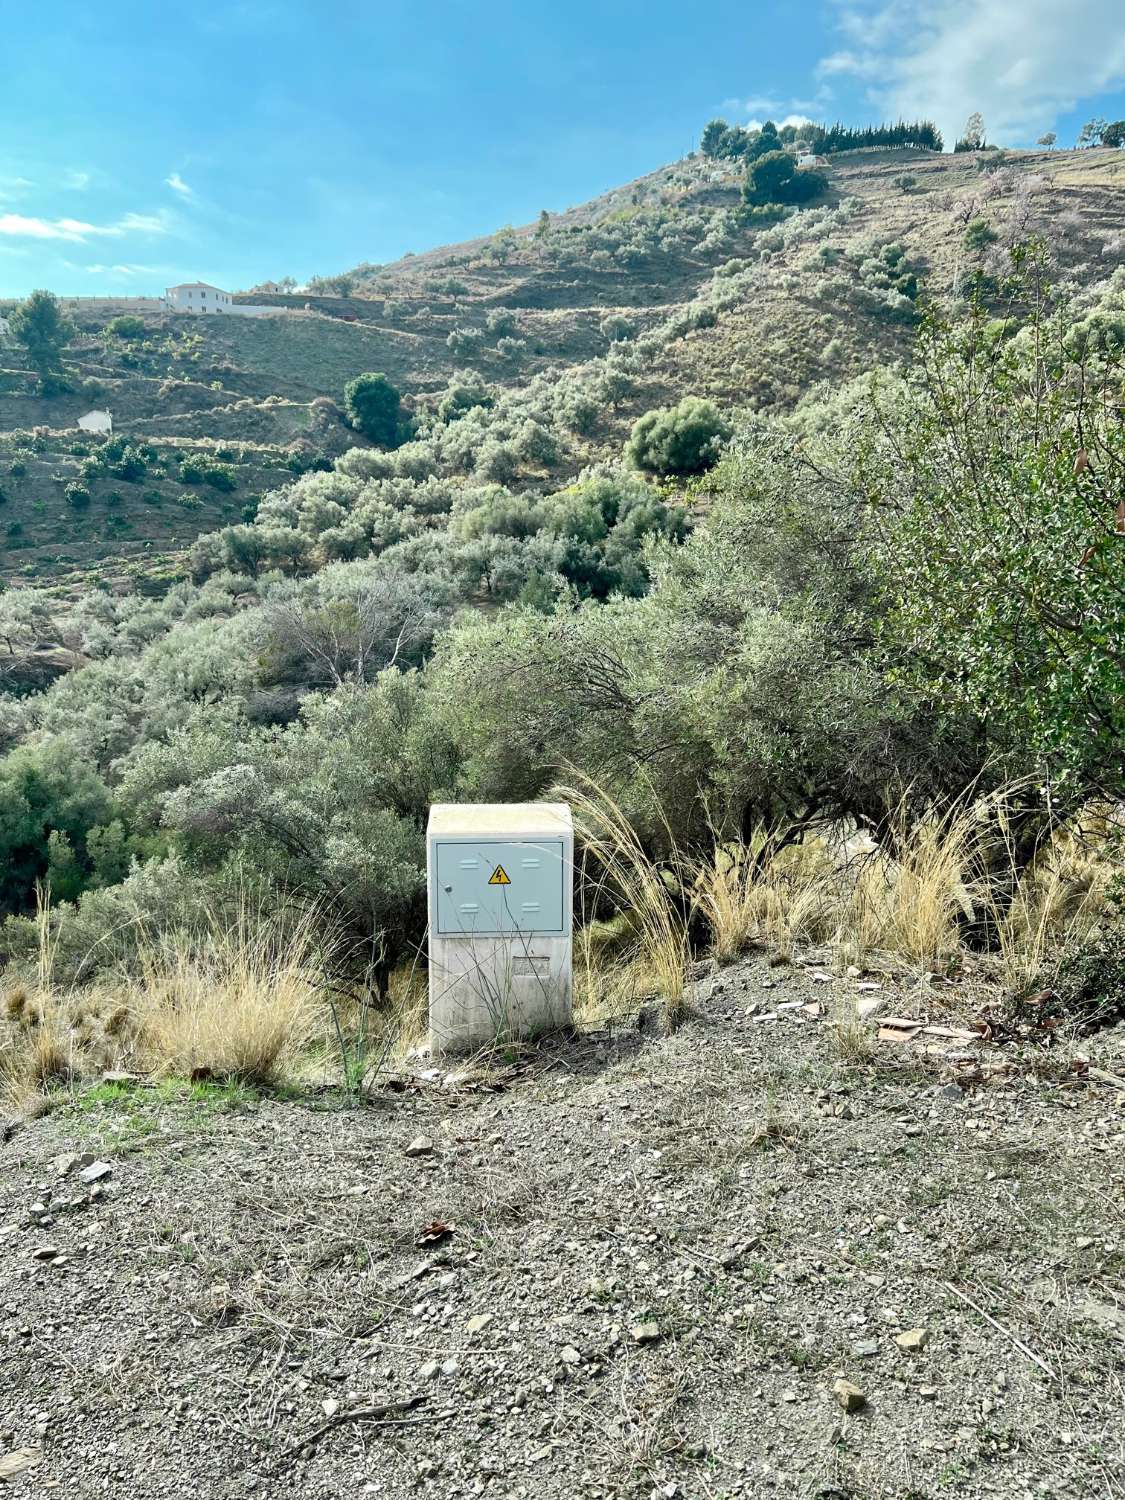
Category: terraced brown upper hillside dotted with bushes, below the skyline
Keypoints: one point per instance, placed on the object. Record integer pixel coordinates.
(748, 316)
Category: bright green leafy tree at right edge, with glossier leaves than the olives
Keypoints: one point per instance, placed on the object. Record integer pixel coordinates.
(1004, 539)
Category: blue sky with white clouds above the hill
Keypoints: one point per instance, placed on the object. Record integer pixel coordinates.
(241, 140)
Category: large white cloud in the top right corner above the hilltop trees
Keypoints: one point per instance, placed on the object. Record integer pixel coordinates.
(1019, 62)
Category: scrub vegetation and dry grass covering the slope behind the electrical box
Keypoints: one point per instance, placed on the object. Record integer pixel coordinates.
(754, 629)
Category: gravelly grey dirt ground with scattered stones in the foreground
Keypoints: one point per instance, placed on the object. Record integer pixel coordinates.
(649, 1262)
